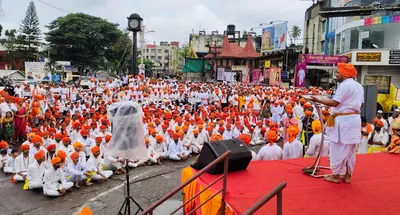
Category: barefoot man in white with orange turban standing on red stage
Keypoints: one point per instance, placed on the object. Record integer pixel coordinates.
(343, 126)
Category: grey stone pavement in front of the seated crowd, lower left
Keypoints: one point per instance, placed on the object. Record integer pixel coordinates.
(147, 185)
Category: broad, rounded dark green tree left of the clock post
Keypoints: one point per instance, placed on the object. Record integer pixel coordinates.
(83, 39)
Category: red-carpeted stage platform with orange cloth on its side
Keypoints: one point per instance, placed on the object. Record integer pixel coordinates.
(375, 188)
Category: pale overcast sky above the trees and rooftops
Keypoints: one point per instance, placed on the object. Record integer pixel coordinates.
(172, 20)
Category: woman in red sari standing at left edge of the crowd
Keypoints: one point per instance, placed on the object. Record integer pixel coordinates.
(20, 120)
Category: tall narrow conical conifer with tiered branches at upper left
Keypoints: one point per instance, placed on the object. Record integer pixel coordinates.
(30, 34)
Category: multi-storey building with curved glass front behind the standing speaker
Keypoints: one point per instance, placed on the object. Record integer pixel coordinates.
(371, 42)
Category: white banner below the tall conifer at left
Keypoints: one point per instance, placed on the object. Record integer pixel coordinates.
(37, 71)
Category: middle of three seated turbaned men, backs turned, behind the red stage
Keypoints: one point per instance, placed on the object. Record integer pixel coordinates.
(293, 148)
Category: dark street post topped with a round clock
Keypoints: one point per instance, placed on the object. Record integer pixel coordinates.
(134, 25)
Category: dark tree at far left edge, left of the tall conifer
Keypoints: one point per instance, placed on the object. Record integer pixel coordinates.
(10, 44)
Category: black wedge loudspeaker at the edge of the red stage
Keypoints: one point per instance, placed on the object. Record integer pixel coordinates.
(238, 160)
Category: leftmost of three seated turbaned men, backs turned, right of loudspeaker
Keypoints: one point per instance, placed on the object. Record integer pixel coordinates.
(271, 151)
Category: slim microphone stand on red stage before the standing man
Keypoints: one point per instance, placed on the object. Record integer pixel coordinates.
(314, 169)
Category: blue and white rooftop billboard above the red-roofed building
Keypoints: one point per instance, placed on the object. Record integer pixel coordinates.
(274, 37)
